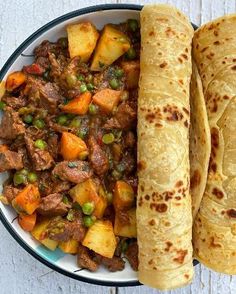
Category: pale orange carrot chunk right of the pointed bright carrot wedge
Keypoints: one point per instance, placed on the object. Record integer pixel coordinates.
(107, 99)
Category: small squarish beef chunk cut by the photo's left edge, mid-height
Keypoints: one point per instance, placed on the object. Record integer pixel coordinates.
(10, 160)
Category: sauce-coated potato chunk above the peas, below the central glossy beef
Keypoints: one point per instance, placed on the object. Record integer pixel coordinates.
(88, 191)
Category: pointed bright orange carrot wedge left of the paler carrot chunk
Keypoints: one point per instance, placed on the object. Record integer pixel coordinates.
(78, 105)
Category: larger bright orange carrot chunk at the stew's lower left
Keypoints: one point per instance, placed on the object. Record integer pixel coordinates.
(28, 200)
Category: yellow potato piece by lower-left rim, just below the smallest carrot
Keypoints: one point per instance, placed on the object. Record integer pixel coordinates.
(38, 233)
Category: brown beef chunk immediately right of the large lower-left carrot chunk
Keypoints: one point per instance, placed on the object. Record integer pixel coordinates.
(52, 205)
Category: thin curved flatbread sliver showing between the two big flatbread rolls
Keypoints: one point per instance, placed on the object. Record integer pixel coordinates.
(200, 141)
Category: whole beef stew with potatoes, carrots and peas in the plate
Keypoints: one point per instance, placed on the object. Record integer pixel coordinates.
(68, 136)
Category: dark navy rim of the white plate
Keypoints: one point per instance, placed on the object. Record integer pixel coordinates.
(3, 71)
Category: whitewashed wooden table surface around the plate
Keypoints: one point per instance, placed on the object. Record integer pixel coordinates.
(19, 272)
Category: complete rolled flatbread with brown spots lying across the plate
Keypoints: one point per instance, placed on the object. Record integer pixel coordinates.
(164, 216)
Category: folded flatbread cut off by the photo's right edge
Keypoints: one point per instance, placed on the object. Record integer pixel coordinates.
(214, 49)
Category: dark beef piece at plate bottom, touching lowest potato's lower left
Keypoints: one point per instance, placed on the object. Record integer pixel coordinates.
(85, 260)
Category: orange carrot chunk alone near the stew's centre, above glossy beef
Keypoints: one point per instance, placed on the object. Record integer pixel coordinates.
(71, 146)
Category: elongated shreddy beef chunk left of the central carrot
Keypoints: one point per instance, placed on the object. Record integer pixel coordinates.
(41, 159)
